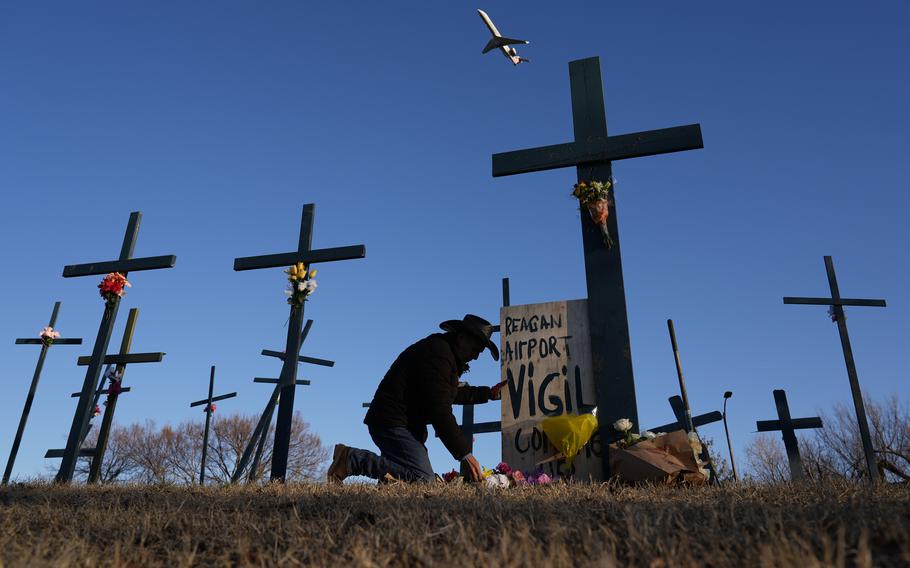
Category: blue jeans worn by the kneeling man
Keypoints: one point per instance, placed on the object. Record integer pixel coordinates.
(403, 456)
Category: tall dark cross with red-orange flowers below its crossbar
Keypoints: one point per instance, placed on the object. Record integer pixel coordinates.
(124, 265)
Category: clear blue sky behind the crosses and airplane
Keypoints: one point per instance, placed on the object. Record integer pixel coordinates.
(219, 120)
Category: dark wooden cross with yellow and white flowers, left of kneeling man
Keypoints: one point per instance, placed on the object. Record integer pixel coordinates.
(307, 255)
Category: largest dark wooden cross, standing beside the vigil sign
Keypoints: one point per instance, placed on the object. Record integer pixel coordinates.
(591, 153)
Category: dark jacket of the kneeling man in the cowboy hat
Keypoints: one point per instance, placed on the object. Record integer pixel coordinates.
(420, 388)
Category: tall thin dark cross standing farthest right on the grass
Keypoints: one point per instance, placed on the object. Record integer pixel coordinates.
(837, 306)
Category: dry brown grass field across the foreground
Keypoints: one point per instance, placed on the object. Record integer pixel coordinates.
(552, 526)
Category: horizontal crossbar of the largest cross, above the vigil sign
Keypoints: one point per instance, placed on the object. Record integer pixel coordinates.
(598, 149)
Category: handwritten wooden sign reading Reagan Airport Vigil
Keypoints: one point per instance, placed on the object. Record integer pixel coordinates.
(546, 363)
